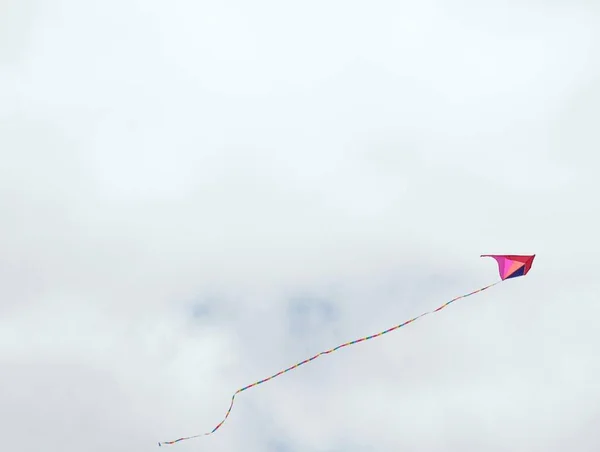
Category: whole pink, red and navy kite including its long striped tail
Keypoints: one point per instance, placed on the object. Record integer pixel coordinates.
(509, 266)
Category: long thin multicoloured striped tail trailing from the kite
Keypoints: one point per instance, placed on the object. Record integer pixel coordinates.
(326, 352)
